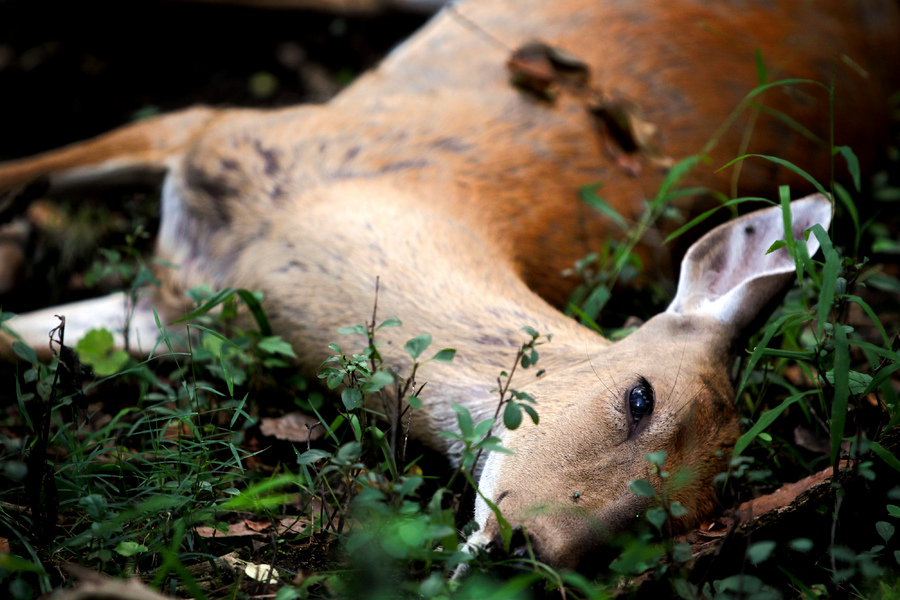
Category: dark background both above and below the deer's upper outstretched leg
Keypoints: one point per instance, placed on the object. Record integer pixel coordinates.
(72, 69)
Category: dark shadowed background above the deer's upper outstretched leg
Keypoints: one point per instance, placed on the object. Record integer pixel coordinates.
(73, 69)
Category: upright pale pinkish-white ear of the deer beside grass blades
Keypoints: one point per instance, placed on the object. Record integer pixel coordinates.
(727, 273)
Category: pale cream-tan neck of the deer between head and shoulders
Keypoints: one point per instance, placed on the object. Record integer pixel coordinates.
(426, 263)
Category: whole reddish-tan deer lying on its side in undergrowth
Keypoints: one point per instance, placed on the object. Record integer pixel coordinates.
(459, 190)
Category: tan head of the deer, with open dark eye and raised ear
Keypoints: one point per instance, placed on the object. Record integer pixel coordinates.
(667, 386)
